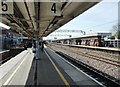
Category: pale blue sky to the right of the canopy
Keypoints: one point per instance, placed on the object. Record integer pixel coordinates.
(100, 18)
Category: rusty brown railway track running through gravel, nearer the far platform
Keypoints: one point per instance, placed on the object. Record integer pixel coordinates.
(102, 59)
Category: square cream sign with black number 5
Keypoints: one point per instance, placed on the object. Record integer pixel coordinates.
(6, 6)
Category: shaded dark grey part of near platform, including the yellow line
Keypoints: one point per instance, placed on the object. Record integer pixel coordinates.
(51, 69)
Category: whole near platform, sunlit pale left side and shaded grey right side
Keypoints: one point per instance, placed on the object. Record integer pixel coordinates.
(49, 70)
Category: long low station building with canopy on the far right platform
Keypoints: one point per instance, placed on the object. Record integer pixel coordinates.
(90, 40)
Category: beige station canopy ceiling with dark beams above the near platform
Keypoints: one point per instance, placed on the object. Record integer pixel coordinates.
(42, 17)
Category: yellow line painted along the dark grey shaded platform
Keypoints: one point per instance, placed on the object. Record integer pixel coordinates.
(60, 74)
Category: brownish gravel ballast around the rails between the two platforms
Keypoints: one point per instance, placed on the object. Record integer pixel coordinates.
(109, 69)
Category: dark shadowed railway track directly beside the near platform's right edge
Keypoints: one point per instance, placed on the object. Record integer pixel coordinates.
(97, 75)
